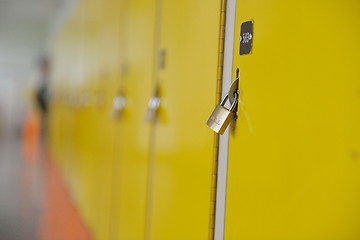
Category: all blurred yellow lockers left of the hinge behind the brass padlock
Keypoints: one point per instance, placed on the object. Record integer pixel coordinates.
(131, 178)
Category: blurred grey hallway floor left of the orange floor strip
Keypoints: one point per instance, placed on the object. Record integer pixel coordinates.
(20, 193)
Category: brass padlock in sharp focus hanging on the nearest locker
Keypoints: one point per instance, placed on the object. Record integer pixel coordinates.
(221, 116)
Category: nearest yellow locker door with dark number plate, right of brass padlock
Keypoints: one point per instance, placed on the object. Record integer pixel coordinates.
(294, 168)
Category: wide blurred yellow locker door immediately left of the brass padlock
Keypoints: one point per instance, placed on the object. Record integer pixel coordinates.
(180, 197)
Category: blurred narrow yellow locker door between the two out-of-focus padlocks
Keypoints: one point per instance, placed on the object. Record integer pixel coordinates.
(132, 145)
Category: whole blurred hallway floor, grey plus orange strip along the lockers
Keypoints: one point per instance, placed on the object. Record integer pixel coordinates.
(34, 203)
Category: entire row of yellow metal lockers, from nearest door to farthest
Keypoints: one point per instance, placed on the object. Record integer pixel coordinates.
(135, 81)
